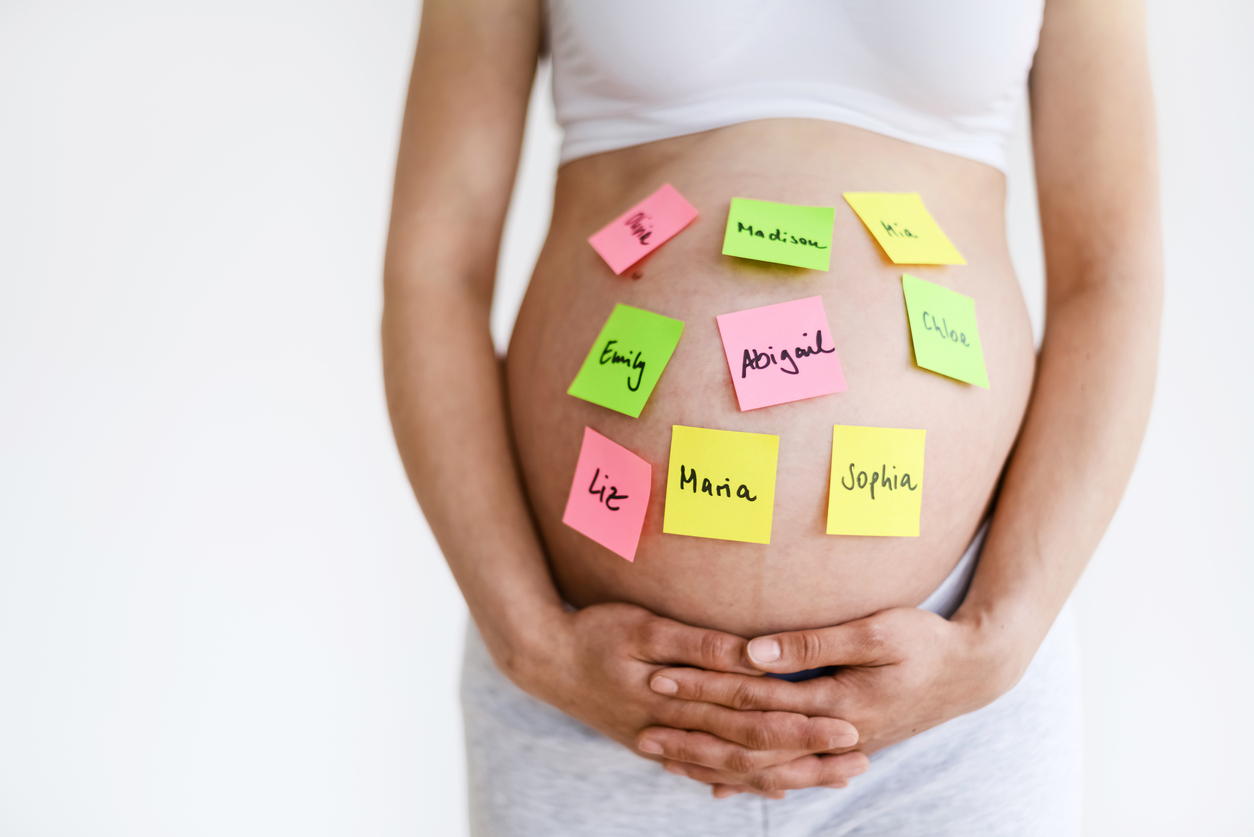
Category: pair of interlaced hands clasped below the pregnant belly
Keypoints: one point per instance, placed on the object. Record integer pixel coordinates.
(697, 700)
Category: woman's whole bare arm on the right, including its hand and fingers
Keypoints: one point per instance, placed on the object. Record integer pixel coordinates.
(909, 671)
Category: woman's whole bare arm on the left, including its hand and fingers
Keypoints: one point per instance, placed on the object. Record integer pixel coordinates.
(460, 150)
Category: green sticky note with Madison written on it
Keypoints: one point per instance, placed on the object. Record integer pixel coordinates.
(781, 233)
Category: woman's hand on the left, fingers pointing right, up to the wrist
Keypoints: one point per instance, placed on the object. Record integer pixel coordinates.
(595, 664)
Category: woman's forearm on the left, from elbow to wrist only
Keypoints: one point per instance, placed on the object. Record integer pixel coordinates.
(448, 413)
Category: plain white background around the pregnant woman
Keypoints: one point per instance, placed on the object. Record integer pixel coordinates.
(220, 609)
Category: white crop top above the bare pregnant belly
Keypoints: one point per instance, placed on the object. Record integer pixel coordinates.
(946, 75)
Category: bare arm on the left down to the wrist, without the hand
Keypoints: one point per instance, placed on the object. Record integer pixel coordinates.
(456, 168)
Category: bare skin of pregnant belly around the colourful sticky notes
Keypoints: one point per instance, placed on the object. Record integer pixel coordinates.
(803, 578)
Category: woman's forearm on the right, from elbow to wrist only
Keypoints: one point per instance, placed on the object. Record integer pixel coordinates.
(1075, 455)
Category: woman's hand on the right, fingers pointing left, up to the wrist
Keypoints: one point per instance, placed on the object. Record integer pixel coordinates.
(902, 672)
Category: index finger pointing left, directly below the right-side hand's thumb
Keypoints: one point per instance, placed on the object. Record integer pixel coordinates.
(817, 697)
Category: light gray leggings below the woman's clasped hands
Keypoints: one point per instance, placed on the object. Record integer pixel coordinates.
(1013, 769)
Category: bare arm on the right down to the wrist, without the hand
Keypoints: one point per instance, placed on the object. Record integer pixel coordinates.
(1097, 171)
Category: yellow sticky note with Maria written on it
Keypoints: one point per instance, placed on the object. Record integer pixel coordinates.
(722, 484)
